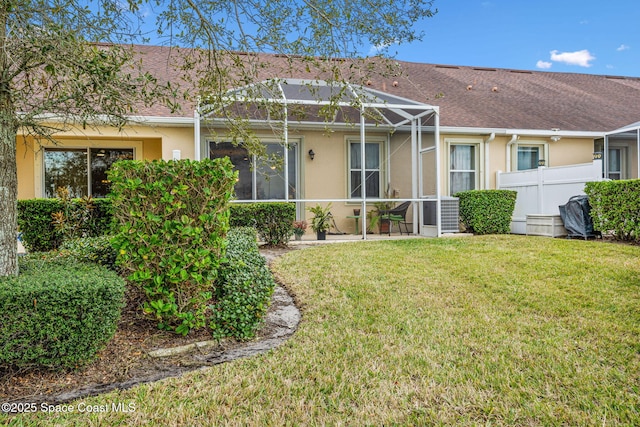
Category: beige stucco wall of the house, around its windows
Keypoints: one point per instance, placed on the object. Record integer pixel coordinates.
(325, 177)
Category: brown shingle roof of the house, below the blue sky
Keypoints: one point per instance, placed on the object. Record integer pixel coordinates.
(478, 97)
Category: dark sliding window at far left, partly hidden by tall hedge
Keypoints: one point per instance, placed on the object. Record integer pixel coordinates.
(81, 171)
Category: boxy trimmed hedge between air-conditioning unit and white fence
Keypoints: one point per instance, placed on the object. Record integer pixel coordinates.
(487, 211)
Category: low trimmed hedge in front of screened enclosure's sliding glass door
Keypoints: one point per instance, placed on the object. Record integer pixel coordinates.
(273, 221)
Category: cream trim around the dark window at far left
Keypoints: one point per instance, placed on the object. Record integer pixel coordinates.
(136, 146)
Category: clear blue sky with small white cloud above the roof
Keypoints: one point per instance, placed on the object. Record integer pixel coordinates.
(577, 36)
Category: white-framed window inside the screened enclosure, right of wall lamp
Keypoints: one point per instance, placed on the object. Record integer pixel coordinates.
(372, 154)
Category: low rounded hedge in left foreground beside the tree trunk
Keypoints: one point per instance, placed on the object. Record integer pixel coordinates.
(57, 313)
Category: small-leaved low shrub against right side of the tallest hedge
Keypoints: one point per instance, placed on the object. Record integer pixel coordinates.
(243, 289)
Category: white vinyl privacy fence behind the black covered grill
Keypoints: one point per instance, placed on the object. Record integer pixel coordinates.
(542, 190)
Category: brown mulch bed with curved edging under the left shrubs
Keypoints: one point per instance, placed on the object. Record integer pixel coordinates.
(123, 363)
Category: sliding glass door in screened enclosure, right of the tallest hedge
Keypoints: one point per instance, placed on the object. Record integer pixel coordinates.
(259, 178)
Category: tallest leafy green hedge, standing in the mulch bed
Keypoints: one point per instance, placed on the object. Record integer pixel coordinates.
(172, 219)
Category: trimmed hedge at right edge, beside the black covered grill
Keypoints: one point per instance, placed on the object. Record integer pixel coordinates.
(615, 208)
